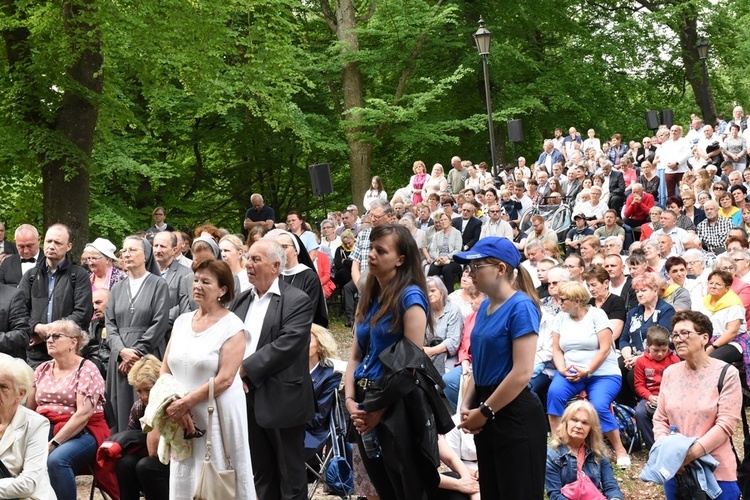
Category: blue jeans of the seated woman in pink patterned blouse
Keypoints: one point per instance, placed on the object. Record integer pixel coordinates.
(66, 459)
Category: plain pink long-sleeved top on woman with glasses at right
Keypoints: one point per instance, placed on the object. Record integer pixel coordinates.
(705, 414)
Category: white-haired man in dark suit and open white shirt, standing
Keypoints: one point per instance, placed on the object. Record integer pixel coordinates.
(280, 396)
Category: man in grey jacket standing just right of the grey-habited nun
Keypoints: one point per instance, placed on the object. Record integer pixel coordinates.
(178, 277)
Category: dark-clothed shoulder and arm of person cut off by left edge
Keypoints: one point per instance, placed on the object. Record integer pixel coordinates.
(14, 322)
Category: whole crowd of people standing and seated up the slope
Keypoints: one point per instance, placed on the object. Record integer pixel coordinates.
(463, 325)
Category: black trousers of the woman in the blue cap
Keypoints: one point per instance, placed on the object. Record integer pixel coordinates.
(512, 449)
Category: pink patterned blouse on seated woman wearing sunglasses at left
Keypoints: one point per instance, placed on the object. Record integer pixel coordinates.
(59, 396)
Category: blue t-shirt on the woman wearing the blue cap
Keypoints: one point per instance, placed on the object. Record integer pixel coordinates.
(493, 335)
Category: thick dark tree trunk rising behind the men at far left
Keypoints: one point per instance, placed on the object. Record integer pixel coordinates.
(65, 178)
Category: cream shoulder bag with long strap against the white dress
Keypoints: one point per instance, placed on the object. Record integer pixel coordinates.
(212, 483)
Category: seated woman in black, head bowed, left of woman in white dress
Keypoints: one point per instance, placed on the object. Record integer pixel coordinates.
(141, 470)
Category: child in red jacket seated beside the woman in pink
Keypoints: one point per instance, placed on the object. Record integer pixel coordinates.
(647, 374)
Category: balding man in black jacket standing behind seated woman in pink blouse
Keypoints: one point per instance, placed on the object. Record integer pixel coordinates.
(55, 289)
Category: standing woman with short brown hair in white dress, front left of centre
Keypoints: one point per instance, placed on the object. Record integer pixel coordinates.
(210, 342)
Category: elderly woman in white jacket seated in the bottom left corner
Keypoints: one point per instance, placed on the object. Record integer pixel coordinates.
(23, 441)
